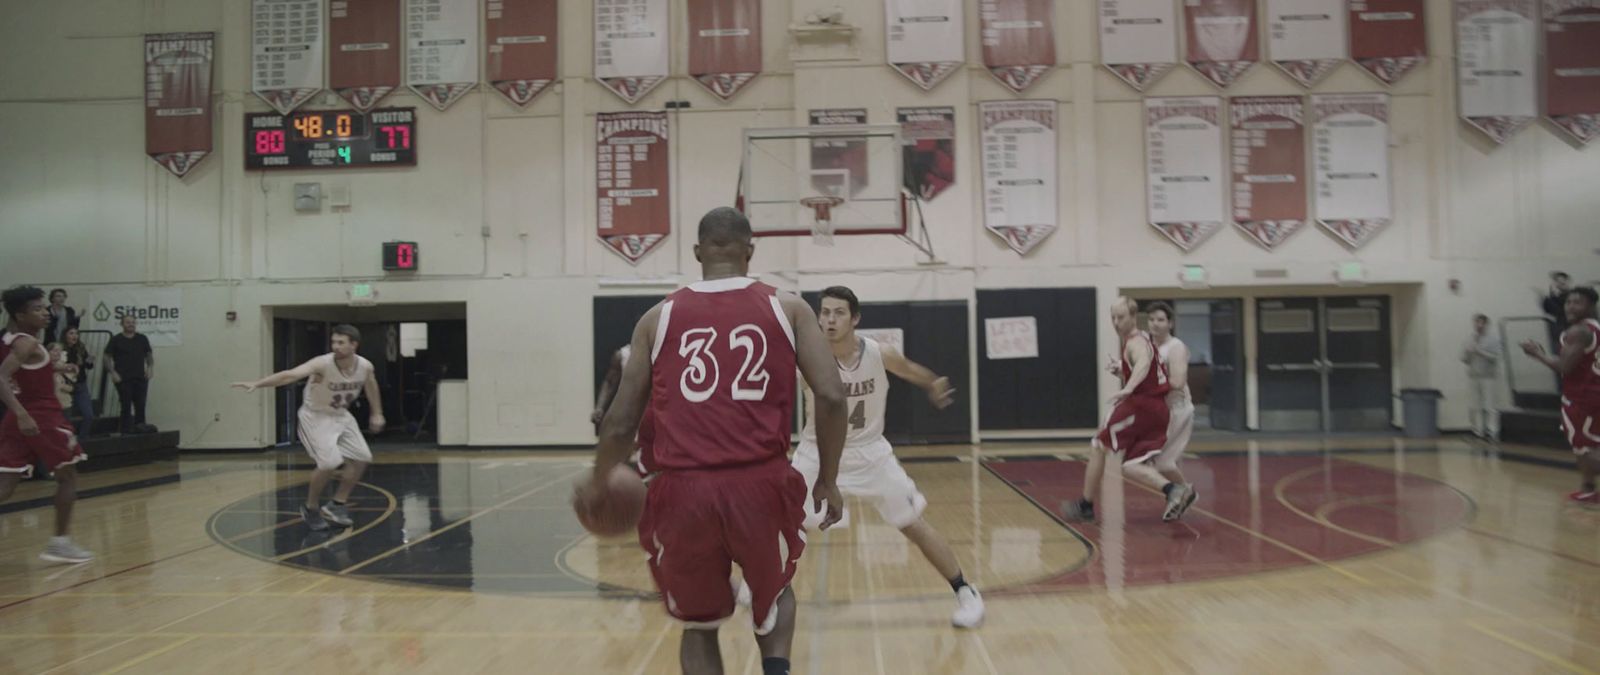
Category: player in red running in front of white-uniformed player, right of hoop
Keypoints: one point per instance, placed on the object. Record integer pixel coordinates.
(1137, 428)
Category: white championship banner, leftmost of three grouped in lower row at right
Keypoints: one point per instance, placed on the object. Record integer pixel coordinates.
(1183, 159)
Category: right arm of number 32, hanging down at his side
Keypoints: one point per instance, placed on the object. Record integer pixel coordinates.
(828, 394)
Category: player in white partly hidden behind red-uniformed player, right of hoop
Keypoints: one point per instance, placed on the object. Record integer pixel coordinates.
(1161, 469)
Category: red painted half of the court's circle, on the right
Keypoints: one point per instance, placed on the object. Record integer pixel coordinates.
(1255, 514)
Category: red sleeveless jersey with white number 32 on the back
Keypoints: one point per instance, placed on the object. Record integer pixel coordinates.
(722, 377)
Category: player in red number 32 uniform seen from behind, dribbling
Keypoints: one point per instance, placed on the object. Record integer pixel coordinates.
(716, 364)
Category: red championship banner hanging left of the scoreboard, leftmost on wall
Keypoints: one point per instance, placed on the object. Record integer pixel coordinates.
(178, 100)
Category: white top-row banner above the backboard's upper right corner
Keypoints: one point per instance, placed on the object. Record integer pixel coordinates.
(926, 39)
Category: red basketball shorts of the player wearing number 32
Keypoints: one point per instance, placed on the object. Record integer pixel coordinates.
(698, 524)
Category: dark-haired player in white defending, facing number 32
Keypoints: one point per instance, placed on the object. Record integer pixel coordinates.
(868, 469)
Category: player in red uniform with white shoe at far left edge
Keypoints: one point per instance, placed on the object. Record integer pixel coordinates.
(36, 426)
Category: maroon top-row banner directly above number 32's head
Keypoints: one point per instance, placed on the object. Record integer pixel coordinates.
(726, 44)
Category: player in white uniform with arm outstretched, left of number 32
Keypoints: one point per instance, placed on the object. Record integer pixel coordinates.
(327, 429)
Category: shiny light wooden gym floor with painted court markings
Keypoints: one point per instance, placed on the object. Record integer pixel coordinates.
(1313, 556)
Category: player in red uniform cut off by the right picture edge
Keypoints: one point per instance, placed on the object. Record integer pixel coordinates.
(1578, 365)
